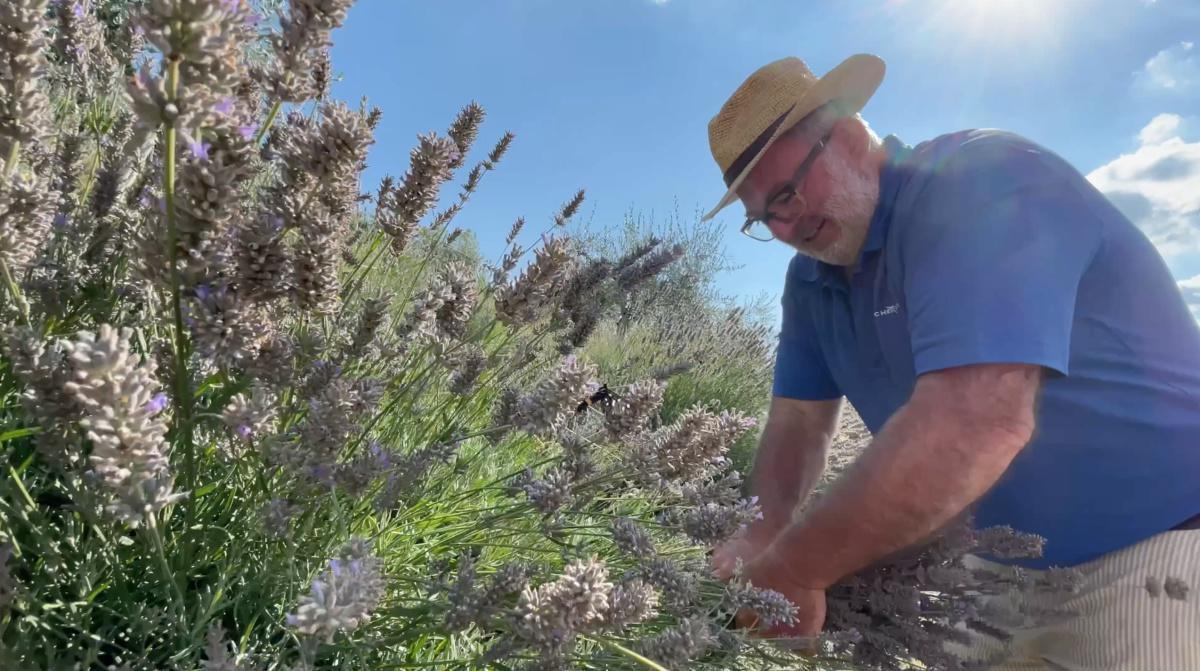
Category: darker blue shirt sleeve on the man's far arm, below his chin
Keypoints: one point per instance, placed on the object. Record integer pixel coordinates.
(801, 370)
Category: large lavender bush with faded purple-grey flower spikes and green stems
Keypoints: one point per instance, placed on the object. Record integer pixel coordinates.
(255, 420)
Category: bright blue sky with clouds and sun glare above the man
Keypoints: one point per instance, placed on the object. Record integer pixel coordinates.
(615, 97)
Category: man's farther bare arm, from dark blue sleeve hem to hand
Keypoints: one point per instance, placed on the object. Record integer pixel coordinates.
(791, 458)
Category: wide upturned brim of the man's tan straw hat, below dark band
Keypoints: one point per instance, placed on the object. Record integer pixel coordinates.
(854, 81)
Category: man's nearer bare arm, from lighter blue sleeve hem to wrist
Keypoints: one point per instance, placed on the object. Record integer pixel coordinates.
(939, 454)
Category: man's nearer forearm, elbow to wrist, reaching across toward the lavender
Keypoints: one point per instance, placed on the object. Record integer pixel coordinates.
(921, 472)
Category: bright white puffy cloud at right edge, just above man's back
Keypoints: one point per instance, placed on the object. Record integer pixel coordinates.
(1159, 185)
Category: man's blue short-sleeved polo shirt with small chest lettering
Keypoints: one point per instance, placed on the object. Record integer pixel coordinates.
(986, 249)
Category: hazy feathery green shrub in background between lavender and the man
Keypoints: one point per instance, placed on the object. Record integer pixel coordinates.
(680, 326)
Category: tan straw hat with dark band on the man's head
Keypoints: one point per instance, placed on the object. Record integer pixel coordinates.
(775, 99)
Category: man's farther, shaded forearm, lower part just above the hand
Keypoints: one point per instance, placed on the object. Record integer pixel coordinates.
(785, 471)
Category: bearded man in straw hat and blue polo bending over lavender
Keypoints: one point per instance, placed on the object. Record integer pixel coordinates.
(1017, 348)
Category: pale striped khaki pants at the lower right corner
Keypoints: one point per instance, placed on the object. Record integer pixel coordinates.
(1118, 625)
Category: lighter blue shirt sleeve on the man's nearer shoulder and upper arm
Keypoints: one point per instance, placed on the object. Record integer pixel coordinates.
(1001, 237)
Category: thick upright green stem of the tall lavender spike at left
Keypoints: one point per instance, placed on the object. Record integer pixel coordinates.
(183, 392)
